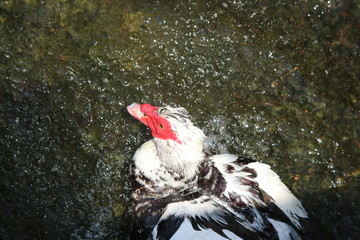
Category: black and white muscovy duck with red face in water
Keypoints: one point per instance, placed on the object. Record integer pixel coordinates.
(182, 192)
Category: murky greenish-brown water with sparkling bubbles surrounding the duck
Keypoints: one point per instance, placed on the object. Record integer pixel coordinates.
(277, 81)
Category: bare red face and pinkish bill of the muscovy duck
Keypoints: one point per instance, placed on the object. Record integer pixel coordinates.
(159, 126)
